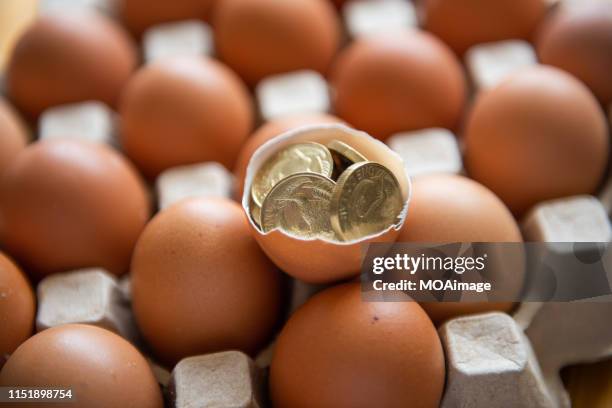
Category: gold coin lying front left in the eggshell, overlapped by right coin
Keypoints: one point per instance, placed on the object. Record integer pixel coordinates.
(299, 205)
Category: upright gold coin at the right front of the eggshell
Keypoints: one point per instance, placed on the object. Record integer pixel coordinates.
(367, 200)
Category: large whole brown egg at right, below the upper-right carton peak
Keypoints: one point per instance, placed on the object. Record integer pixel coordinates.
(539, 135)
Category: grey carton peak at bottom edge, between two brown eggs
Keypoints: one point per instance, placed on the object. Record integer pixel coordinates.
(226, 379)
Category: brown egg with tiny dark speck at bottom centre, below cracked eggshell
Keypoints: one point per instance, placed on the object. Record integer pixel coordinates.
(339, 351)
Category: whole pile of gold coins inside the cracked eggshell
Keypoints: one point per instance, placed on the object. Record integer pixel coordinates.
(330, 192)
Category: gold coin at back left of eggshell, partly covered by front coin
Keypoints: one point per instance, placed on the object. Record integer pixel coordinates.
(306, 157)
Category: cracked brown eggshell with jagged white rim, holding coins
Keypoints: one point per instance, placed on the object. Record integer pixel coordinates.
(319, 260)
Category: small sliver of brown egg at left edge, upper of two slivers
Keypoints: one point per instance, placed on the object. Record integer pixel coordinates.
(13, 135)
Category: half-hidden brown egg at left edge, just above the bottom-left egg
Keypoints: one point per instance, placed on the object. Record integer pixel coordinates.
(17, 307)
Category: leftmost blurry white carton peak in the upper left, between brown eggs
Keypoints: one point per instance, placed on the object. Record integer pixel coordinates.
(91, 121)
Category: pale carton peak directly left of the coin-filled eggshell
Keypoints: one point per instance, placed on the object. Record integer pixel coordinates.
(197, 180)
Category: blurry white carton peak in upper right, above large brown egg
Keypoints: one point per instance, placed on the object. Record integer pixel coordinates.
(489, 64)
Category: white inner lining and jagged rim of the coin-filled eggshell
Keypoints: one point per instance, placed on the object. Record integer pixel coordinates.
(372, 149)
